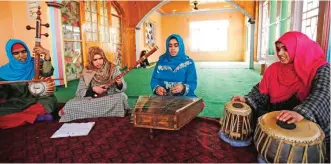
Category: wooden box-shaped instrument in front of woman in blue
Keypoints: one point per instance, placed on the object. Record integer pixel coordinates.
(166, 112)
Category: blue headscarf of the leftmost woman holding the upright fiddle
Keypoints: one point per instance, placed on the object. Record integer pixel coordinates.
(15, 69)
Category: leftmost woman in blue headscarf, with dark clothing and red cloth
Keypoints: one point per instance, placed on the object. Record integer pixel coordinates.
(17, 104)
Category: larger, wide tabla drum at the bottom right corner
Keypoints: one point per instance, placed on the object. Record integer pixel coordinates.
(279, 142)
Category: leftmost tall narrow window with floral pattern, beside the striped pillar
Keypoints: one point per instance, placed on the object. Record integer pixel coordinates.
(72, 39)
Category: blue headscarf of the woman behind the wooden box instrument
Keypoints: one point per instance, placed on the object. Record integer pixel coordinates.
(180, 57)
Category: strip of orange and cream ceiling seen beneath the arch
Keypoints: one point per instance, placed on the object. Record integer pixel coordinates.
(187, 6)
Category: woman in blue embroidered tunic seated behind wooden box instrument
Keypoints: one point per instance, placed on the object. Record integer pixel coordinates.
(175, 72)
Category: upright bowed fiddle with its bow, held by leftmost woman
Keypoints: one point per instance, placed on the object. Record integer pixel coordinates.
(38, 86)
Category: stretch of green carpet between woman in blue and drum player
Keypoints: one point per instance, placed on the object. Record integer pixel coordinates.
(217, 86)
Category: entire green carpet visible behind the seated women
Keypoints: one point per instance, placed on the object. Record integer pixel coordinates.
(215, 85)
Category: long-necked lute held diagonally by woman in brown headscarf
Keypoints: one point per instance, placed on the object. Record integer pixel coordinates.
(95, 95)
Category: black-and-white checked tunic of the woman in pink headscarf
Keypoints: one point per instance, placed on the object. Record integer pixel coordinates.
(315, 108)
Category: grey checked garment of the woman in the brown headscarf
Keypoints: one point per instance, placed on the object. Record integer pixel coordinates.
(115, 103)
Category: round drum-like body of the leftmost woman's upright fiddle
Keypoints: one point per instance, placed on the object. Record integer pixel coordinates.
(45, 87)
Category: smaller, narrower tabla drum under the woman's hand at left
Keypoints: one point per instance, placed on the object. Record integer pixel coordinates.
(236, 123)
